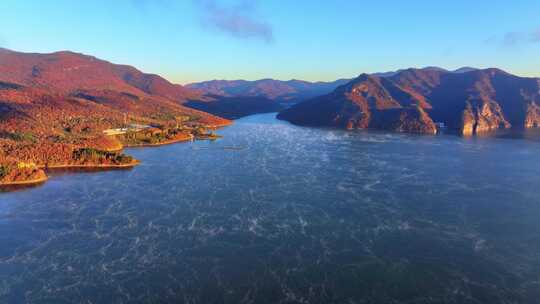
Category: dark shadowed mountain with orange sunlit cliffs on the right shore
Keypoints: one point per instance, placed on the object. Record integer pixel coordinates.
(417, 100)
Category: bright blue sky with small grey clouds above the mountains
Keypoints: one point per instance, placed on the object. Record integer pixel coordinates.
(194, 40)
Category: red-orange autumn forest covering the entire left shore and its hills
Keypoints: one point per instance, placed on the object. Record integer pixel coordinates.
(55, 107)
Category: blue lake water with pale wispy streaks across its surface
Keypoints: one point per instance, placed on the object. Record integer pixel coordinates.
(278, 213)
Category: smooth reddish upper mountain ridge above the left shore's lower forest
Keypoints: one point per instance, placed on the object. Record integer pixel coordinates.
(68, 71)
